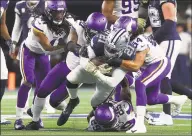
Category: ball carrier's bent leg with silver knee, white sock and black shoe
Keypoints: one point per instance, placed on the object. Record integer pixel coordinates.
(74, 78)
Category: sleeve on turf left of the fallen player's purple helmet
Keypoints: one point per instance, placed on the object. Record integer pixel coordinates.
(94, 126)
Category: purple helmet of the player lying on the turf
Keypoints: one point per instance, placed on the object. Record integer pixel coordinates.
(105, 115)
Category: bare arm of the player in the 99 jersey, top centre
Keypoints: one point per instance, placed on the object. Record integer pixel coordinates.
(107, 10)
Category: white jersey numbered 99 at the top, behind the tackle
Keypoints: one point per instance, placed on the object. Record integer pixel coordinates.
(126, 8)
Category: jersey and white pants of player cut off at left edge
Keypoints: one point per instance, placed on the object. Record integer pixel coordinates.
(4, 70)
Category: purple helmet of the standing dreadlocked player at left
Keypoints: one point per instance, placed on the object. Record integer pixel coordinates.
(55, 10)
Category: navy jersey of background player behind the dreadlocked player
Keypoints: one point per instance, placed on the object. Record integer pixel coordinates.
(27, 16)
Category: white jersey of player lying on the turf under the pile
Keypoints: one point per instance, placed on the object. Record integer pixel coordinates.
(125, 118)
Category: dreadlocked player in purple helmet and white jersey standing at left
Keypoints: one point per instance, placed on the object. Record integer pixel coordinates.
(47, 36)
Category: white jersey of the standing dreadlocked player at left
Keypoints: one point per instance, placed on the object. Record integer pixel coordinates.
(32, 41)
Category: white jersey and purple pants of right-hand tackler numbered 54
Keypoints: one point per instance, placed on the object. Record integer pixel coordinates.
(156, 66)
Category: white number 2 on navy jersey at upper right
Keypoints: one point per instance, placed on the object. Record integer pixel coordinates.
(154, 17)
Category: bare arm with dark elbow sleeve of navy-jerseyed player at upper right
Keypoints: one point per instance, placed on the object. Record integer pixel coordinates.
(169, 14)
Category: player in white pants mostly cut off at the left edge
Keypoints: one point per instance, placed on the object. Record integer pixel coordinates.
(5, 35)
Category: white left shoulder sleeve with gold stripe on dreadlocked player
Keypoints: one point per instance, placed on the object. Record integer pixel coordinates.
(38, 25)
